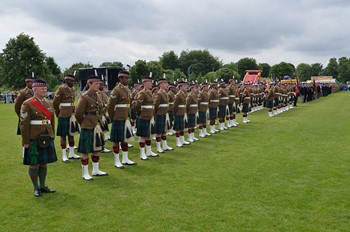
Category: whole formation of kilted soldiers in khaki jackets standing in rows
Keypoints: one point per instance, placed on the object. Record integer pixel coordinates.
(152, 111)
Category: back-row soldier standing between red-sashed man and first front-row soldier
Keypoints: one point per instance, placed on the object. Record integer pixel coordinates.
(63, 103)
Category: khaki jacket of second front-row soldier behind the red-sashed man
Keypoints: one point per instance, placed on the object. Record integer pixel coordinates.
(119, 95)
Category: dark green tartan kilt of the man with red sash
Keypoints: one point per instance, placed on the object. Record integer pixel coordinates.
(36, 155)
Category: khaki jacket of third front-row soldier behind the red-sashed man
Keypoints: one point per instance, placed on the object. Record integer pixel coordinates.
(144, 99)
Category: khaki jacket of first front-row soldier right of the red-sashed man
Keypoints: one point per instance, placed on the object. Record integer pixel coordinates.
(90, 103)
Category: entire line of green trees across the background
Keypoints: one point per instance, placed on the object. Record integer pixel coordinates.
(22, 56)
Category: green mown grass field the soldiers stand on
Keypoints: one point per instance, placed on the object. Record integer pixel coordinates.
(286, 173)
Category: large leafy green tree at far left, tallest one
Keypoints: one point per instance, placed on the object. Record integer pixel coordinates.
(20, 58)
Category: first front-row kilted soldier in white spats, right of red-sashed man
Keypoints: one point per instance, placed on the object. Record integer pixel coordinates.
(89, 115)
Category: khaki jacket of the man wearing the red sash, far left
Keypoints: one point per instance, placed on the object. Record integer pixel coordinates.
(28, 113)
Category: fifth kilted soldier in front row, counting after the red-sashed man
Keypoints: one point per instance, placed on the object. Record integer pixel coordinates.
(179, 114)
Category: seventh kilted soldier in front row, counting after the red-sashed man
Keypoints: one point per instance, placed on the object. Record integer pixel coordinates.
(203, 103)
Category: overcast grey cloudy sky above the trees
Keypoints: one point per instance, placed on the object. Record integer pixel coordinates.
(271, 31)
